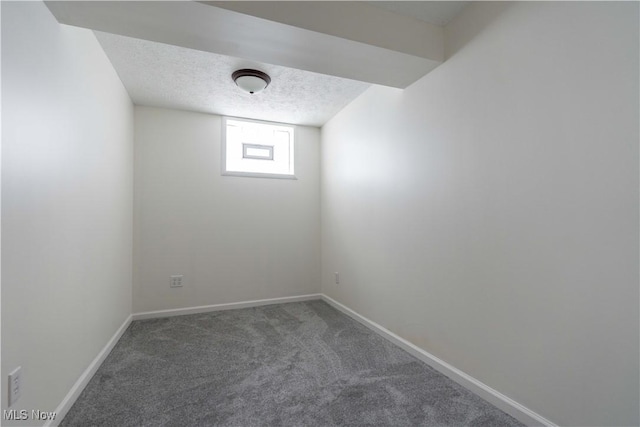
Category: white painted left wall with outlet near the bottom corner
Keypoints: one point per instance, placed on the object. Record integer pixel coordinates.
(67, 203)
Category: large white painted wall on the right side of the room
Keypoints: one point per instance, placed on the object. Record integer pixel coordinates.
(489, 212)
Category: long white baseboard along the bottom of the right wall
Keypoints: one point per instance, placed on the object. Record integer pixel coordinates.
(504, 403)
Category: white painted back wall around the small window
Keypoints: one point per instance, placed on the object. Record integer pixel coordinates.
(233, 238)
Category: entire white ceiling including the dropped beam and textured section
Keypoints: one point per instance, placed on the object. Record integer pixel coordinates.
(180, 55)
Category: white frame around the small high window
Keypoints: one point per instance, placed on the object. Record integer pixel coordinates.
(223, 159)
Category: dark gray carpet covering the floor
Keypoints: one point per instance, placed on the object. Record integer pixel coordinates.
(298, 364)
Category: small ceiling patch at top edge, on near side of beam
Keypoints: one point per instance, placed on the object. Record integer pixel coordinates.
(433, 12)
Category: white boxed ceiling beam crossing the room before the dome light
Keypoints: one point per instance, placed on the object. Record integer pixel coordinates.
(214, 29)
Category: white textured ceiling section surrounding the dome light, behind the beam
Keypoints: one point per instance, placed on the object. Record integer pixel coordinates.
(162, 75)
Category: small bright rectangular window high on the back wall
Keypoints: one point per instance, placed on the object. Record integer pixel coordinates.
(257, 149)
